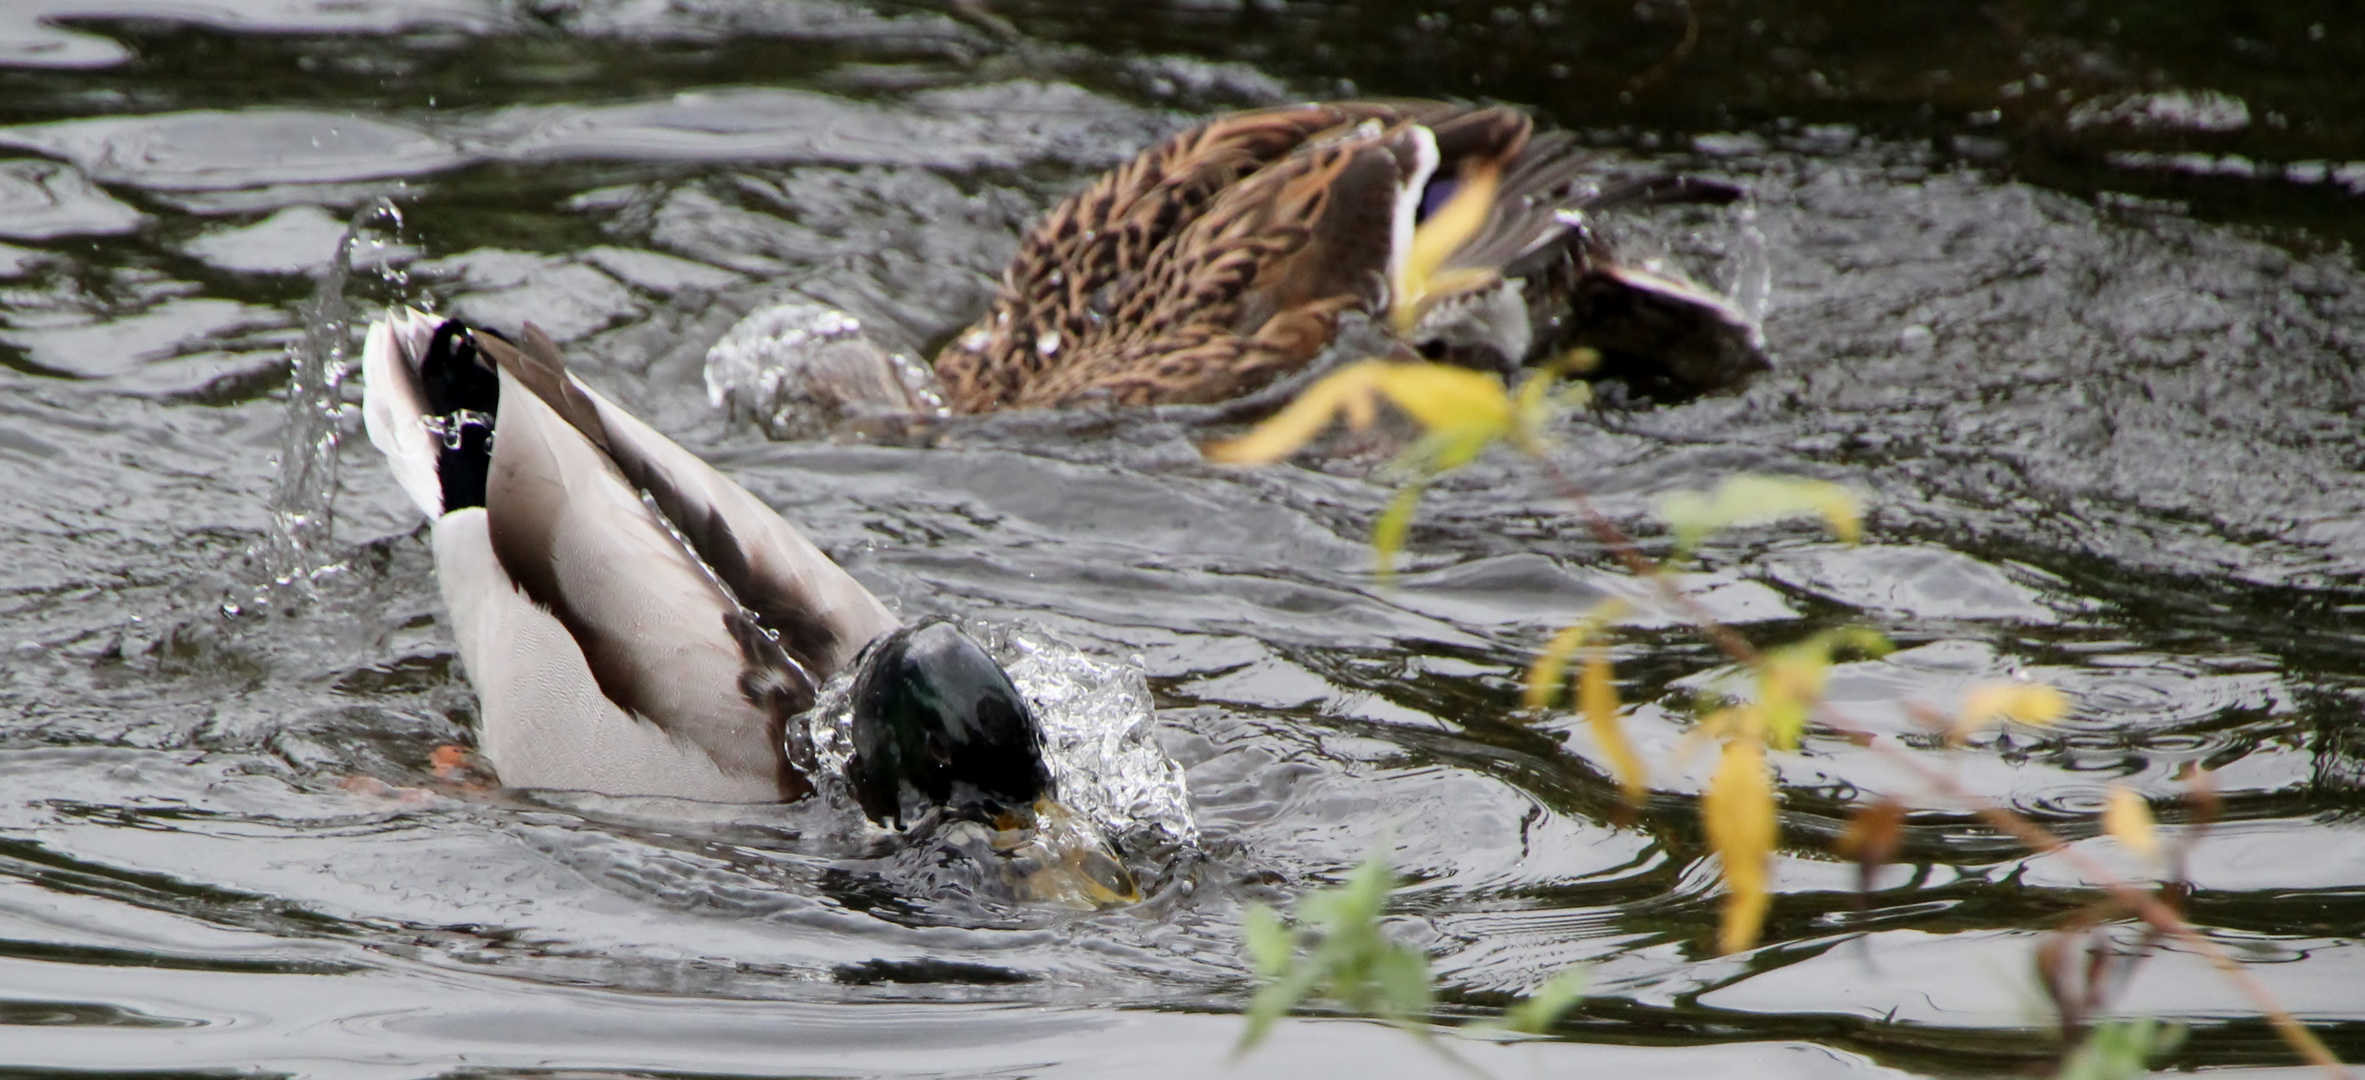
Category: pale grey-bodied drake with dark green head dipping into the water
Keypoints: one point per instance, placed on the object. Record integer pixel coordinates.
(640, 625)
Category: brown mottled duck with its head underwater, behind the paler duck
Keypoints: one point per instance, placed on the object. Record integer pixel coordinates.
(1226, 256)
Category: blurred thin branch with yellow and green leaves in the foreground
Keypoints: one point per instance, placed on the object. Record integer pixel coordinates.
(1463, 415)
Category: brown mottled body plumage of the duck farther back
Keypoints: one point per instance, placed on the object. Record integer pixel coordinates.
(1224, 256)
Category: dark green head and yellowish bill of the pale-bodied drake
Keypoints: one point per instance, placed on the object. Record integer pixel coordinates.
(942, 729)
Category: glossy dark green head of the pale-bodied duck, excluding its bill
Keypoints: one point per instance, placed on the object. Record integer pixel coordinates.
(940, 724)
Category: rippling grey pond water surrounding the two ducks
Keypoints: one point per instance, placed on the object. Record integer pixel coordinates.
(2066, 294)
